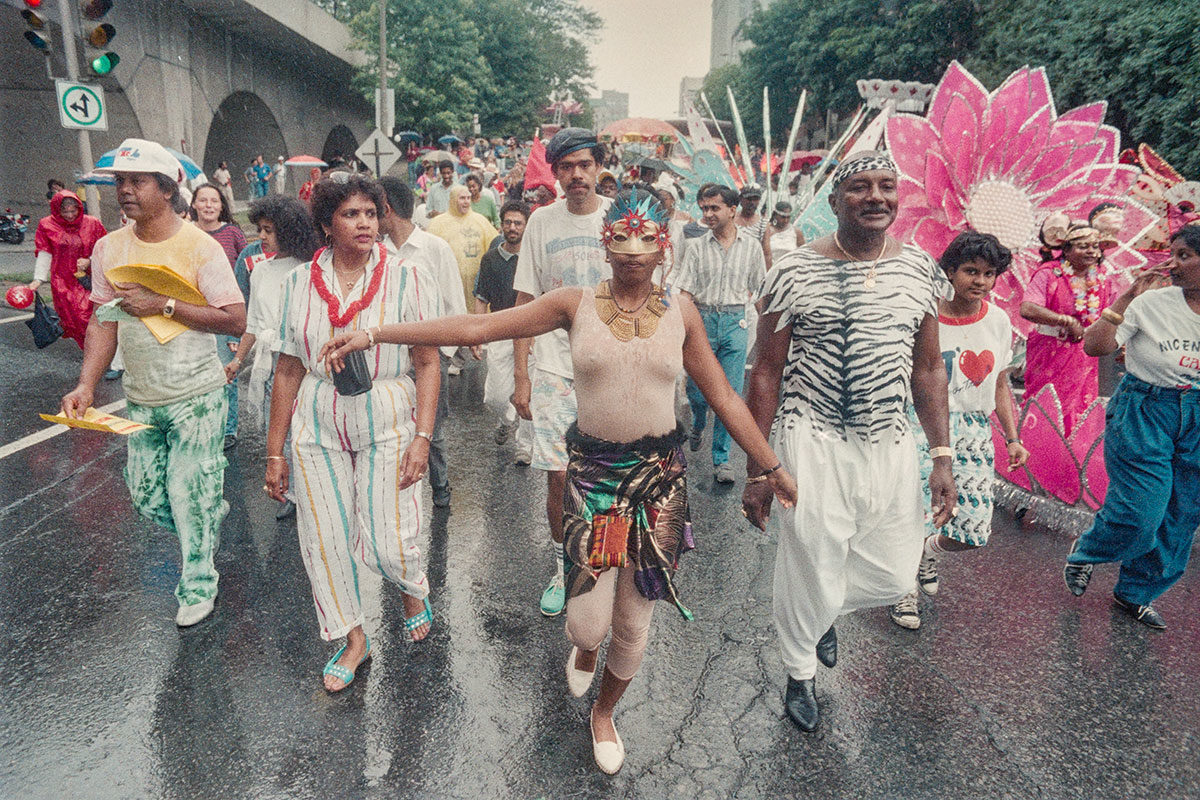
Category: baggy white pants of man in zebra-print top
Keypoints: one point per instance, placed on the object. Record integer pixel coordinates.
(854, 540)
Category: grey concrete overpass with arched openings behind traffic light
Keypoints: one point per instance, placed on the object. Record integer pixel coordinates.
(218, 80)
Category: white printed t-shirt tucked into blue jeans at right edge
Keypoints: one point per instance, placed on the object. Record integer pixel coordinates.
(1162, 339)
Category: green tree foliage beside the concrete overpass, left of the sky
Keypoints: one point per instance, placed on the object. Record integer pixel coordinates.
(452, 59)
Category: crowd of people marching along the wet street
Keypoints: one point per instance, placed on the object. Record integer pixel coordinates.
(871, 374)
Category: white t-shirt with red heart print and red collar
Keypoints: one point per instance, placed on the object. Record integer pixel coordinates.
(976, 351)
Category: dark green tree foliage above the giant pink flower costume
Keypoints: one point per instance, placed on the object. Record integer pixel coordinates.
(1142, 58)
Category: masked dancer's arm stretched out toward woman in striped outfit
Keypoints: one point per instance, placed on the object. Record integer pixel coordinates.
(549, 312)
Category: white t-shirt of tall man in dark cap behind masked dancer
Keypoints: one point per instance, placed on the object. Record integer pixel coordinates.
(561, 250)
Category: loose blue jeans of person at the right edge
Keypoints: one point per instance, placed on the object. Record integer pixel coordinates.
(1151, 510)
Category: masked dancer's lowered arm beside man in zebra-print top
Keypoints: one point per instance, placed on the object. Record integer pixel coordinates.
(728, 405)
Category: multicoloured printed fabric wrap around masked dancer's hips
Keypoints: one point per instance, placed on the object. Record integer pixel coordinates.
(644, 482)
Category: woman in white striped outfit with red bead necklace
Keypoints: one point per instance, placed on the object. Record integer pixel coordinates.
(359, 459)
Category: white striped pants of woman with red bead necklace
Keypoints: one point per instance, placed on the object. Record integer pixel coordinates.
(351, 512)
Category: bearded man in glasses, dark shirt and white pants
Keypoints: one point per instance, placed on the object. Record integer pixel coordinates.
(494, 292)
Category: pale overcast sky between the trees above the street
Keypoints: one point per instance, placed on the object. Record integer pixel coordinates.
(647, 46)
